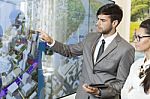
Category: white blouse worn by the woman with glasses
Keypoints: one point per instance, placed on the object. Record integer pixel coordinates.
(132, 88)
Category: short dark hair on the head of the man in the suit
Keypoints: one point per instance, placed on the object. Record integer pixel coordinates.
(113, 10)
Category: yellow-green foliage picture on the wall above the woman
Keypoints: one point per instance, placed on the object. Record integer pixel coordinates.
(140, 10)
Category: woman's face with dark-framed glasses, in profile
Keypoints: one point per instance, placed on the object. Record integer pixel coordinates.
(142, 40)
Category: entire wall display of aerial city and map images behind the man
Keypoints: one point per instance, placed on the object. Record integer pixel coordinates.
(67, 21)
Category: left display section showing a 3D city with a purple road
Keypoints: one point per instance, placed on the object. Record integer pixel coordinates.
(18, 57)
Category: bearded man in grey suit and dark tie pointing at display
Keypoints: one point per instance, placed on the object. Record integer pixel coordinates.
(112, 67)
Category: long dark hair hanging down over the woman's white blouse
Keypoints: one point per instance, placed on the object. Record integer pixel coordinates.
(146, 81)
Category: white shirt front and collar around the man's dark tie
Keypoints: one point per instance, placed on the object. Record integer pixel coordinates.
(108, 40)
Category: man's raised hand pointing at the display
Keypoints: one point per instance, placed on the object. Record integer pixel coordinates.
(44, 36)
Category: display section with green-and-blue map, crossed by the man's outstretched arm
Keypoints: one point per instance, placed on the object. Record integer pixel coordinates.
(70, 21)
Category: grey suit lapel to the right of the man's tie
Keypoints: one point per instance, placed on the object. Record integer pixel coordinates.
(110, 48)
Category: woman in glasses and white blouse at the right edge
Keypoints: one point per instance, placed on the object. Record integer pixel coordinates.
(137, 85)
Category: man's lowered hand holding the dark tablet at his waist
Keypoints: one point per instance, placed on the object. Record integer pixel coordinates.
(91, 90)
